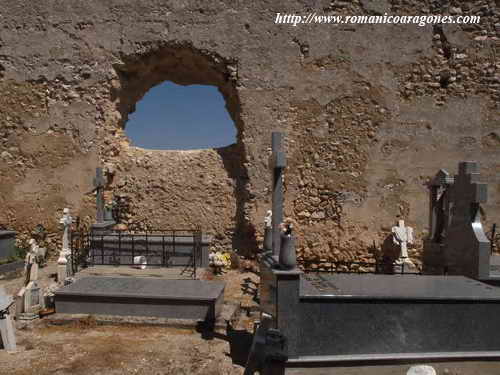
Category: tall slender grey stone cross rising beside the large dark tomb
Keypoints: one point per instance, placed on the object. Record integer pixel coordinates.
(277, 164)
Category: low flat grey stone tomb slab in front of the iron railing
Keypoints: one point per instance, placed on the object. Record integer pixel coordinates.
(149, 297)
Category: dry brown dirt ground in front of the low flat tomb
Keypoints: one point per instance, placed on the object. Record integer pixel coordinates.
(84, 347)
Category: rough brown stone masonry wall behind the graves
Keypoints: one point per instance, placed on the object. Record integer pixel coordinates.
(370, 113)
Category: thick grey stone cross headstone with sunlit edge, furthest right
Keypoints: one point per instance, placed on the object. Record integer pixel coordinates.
(466, 247)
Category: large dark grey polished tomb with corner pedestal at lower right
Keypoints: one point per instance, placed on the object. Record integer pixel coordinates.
(340, 317)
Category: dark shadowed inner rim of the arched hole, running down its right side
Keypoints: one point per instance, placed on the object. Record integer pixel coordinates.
(185, 66)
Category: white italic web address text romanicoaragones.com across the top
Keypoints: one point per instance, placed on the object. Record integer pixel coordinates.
(313, 18)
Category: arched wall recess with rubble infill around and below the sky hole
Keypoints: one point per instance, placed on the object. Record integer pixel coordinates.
(175, 187)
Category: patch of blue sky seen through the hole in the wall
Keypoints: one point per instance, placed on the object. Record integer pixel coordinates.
(175, 117)
